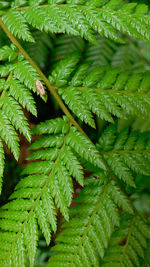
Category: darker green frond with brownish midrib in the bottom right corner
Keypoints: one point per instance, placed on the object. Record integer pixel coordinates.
(128, 243)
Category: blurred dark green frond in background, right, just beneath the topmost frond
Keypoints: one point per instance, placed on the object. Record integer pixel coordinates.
(125, 56)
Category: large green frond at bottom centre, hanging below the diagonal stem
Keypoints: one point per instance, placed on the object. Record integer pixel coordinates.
(86, 236)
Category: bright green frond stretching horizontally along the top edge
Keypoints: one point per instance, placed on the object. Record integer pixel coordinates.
(81, 19)
